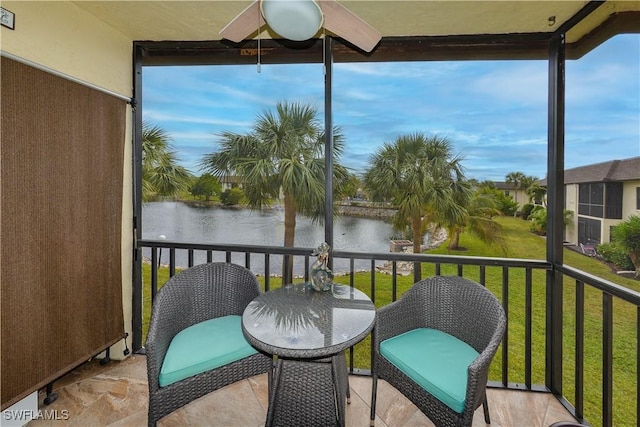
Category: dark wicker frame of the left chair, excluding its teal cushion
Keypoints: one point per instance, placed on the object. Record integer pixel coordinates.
(196, 295)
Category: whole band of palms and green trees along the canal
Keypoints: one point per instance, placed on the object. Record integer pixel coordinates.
(282, 158)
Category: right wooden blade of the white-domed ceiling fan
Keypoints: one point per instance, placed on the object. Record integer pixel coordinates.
(344, 23)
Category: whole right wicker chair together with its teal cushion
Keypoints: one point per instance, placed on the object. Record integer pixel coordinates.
(464, 310)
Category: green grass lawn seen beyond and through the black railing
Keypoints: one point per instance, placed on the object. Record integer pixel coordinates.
(524, 244)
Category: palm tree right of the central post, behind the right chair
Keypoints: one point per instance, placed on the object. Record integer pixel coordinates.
(419, 175)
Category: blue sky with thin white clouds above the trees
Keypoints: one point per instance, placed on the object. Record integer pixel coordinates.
(494, 112)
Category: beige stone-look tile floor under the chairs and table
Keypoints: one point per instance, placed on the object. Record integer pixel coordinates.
(115, 395)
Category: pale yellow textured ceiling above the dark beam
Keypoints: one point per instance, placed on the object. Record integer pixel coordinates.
(202, 20)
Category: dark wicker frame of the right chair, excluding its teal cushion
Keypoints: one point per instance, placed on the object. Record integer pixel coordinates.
(459, 307)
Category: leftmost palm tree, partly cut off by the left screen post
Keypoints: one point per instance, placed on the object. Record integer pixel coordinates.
(161, 175)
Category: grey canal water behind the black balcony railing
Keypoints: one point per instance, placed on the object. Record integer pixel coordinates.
(180, 222)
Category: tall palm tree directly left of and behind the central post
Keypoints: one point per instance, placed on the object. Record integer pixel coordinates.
(283, 153)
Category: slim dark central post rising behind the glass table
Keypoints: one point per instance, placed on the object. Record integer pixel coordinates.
(328, 144)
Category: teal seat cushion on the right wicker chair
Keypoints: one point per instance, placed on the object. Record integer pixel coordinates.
(435, 360)
